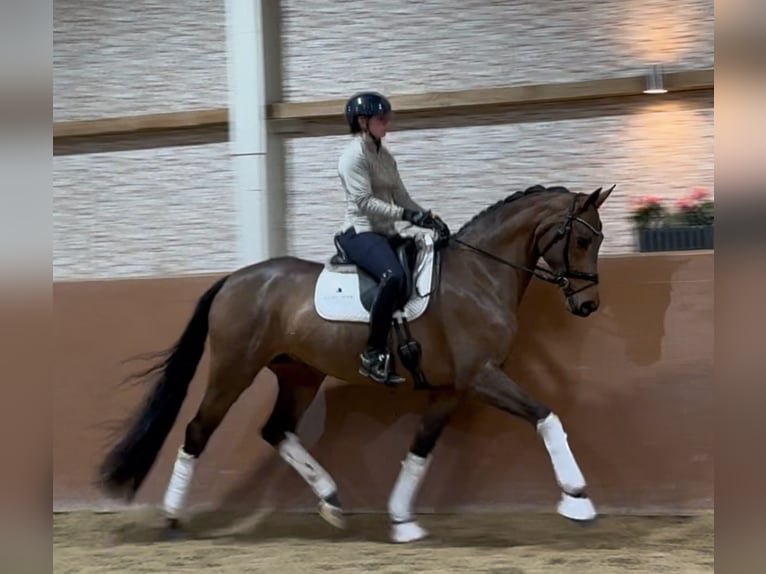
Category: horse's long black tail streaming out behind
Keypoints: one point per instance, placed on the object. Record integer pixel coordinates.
(125, 467)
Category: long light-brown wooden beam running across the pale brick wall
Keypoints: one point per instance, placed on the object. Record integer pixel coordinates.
(411, 105)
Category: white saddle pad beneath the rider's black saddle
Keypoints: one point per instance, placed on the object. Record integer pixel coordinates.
(344, 292)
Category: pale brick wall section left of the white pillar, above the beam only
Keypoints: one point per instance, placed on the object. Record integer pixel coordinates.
(113, 58)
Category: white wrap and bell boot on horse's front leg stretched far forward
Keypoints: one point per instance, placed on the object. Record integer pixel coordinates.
(574, 504)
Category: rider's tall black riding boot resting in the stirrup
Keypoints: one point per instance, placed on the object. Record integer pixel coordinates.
(376, 359)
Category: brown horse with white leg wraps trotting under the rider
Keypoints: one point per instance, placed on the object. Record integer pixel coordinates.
(267, 315)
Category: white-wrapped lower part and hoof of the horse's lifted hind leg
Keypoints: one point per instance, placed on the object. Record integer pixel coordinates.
(292, 451)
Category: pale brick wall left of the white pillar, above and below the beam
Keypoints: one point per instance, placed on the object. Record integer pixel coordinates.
(163, 211)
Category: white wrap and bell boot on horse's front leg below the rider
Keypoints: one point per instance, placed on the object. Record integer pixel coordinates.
(404, 528)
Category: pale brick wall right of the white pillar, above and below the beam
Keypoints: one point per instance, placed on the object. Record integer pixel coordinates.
(660, 146)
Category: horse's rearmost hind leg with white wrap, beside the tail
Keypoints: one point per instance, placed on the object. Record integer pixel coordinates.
(227, 379)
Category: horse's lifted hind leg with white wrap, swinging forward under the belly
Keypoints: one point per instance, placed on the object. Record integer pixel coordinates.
(298, 384)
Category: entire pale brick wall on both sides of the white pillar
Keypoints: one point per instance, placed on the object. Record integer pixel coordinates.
(171, 210)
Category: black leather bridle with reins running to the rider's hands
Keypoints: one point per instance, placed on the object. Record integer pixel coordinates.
(561, 278)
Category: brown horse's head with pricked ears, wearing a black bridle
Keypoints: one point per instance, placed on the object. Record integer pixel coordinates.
(569, 241)
